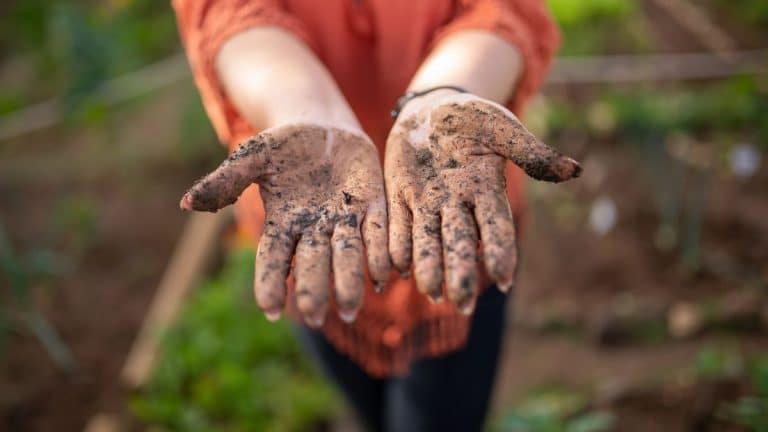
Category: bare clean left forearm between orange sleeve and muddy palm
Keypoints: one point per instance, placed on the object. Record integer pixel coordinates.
(274, 79)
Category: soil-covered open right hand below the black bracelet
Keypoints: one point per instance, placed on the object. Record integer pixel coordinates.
(444, 167)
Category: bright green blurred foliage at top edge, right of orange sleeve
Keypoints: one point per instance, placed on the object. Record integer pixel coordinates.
(593, 20)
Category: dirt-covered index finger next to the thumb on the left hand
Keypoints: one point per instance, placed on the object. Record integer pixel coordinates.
(273, 260)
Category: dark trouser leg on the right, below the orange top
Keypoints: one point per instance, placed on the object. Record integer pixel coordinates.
(452, 392)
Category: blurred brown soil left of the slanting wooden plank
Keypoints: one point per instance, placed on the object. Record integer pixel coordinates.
(132, 185)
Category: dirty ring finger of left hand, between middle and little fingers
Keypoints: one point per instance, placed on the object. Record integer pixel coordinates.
(348, 267)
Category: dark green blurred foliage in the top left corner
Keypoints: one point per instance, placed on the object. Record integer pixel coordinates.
(70, 47)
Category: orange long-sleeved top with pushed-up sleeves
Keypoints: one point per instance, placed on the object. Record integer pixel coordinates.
(372, 48)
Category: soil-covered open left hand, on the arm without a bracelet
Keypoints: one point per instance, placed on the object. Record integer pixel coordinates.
(321, 187)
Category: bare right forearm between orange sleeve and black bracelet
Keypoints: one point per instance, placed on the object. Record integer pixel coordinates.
(478, 61)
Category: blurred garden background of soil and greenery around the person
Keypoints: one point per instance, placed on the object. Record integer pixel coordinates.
(642, 303)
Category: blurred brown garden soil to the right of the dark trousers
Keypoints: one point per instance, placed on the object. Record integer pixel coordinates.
(575, 290)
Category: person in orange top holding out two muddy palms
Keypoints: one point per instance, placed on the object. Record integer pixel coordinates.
(364, 252)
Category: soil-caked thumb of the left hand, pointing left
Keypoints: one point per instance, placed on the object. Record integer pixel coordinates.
(224, 185)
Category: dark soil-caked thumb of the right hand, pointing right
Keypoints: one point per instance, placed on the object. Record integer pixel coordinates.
(538, 160)
